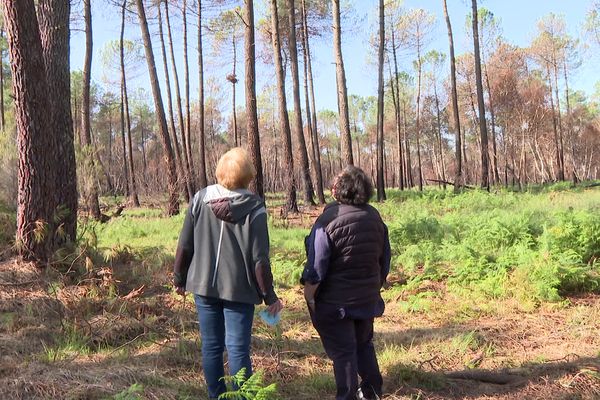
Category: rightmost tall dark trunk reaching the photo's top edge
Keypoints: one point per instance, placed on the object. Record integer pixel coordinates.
(485, 183)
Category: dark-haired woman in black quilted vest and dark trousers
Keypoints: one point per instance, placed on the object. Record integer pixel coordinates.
(348, 259)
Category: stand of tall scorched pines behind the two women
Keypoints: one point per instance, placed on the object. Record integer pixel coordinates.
(501, 115)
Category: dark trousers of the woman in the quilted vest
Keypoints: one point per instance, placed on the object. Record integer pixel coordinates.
(349, 344)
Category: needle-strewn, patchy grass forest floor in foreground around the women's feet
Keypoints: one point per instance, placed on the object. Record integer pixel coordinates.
(108, 326)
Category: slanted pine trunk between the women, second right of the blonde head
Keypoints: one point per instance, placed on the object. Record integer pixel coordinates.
(291, 204)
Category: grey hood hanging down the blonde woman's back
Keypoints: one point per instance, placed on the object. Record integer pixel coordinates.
(231, 205)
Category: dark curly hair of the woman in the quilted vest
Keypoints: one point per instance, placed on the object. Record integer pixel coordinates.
(352, 186)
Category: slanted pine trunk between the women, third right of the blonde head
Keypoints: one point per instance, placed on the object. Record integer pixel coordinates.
(293, 49)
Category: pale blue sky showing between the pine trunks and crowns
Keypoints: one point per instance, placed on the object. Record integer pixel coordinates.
(518, 22)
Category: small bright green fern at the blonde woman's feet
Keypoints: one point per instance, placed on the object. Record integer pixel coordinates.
(249, 388)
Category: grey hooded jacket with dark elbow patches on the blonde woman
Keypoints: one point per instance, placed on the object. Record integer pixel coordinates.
(223, 249)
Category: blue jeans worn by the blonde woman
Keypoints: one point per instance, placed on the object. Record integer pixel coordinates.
(224, 324)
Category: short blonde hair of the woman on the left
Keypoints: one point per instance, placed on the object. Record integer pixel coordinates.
(234, 169)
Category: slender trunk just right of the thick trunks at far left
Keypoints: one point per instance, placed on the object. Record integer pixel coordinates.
(92, 195)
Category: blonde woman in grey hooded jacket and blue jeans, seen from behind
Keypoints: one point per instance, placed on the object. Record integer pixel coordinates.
(223, 259)
